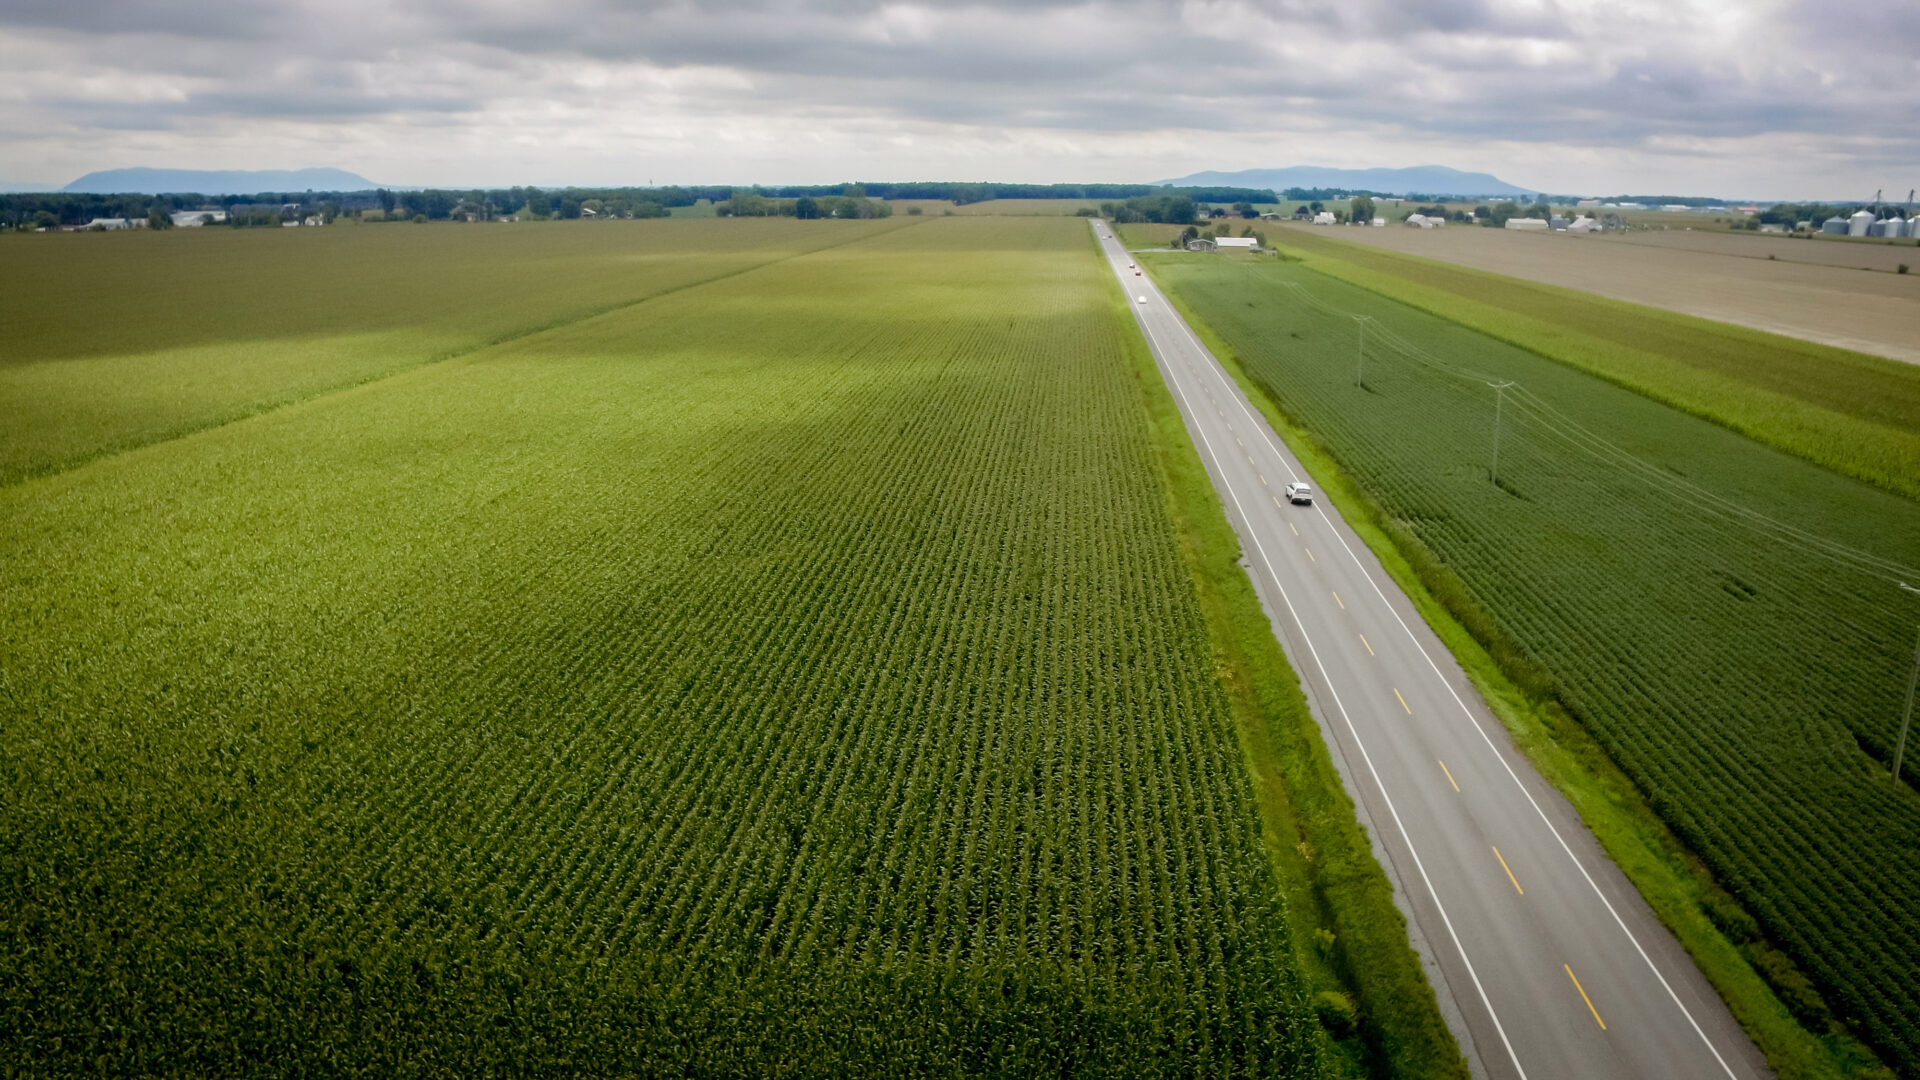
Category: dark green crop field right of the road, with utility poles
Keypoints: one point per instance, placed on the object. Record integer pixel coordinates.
(1723, 618)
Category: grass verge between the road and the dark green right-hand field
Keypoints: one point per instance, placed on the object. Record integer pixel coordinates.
(1756, 979)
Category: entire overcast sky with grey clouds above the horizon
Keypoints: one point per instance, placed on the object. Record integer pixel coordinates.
(1740, 99)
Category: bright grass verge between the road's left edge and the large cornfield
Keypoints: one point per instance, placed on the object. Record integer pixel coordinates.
(1347, 933)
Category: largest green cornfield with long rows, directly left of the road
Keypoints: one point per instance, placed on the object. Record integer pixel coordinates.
(790, 675)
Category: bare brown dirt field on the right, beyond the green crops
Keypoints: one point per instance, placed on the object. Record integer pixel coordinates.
(1714, 276)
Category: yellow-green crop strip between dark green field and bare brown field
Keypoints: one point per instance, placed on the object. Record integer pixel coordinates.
(1850, 412)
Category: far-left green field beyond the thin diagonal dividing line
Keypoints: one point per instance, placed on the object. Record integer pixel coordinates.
(126, 339)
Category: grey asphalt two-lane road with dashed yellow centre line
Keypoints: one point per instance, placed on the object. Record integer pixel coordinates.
(1543, 954)
